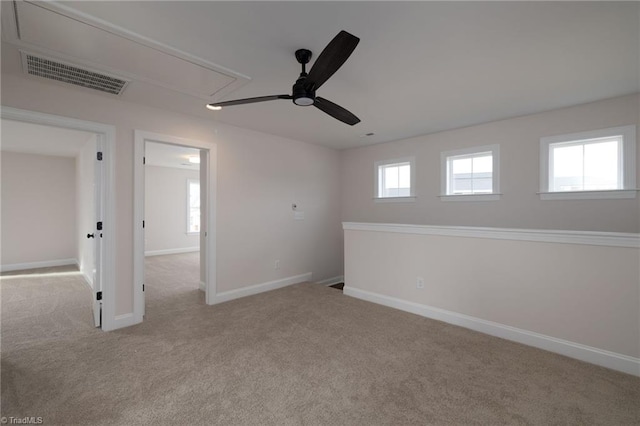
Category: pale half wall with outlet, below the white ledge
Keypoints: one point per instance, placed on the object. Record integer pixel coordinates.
(581, 293)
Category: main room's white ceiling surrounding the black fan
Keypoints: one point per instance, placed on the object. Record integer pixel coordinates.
(421, 67)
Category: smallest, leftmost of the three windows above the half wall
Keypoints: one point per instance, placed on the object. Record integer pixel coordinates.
(395, 179)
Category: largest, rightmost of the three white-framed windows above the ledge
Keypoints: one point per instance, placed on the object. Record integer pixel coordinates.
(589, 164)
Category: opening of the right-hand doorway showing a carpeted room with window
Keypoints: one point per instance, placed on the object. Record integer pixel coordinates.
(171, 227)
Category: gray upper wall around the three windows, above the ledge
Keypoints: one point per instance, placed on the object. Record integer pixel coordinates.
(520, 206)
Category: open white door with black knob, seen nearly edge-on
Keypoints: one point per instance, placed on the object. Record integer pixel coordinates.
(97, 237)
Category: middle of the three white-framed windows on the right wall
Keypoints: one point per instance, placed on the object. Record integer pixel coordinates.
(470, 174)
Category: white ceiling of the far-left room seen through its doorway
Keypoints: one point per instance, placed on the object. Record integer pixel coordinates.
(43, 140)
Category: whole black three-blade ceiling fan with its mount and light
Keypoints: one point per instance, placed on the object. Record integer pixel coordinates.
(304, 90)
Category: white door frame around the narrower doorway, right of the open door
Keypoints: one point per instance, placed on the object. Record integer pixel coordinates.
(209, 245)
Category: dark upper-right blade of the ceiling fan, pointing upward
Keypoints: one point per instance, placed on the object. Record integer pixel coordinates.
(331, 59)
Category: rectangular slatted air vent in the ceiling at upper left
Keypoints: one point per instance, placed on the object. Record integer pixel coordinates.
(59, 71)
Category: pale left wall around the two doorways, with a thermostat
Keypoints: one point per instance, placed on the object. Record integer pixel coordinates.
(259, 177)
